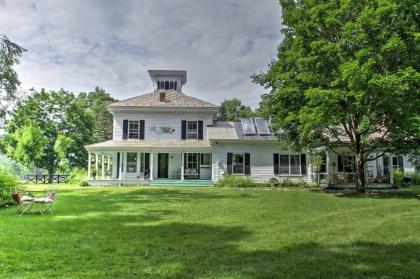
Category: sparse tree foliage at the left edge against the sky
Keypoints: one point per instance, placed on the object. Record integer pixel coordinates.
(10, 53)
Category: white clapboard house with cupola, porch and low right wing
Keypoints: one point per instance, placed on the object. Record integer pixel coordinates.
(167, 137)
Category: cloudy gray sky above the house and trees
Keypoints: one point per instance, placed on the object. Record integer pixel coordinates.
(80, 44)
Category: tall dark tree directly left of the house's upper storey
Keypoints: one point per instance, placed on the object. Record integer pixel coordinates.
(97, 101)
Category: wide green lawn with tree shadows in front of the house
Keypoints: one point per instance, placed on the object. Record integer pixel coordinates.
(212, 233)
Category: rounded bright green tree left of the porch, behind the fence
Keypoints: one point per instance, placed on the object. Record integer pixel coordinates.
(49, 130)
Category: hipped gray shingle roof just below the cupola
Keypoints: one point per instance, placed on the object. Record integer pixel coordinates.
(173, 99)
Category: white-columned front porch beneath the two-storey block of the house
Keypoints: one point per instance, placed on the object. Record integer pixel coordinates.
(154, 168)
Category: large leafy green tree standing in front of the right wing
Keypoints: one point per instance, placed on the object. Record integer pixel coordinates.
(347, 73)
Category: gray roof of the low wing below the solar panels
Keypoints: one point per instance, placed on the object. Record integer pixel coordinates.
(228, 130)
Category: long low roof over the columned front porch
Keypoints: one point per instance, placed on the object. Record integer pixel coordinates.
(145, 144)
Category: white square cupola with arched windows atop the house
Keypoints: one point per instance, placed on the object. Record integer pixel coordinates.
(168, 79)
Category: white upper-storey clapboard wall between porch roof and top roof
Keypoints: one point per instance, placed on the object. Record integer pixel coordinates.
(155, 120)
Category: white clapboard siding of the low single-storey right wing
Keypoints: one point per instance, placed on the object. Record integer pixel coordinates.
(262, 167)
